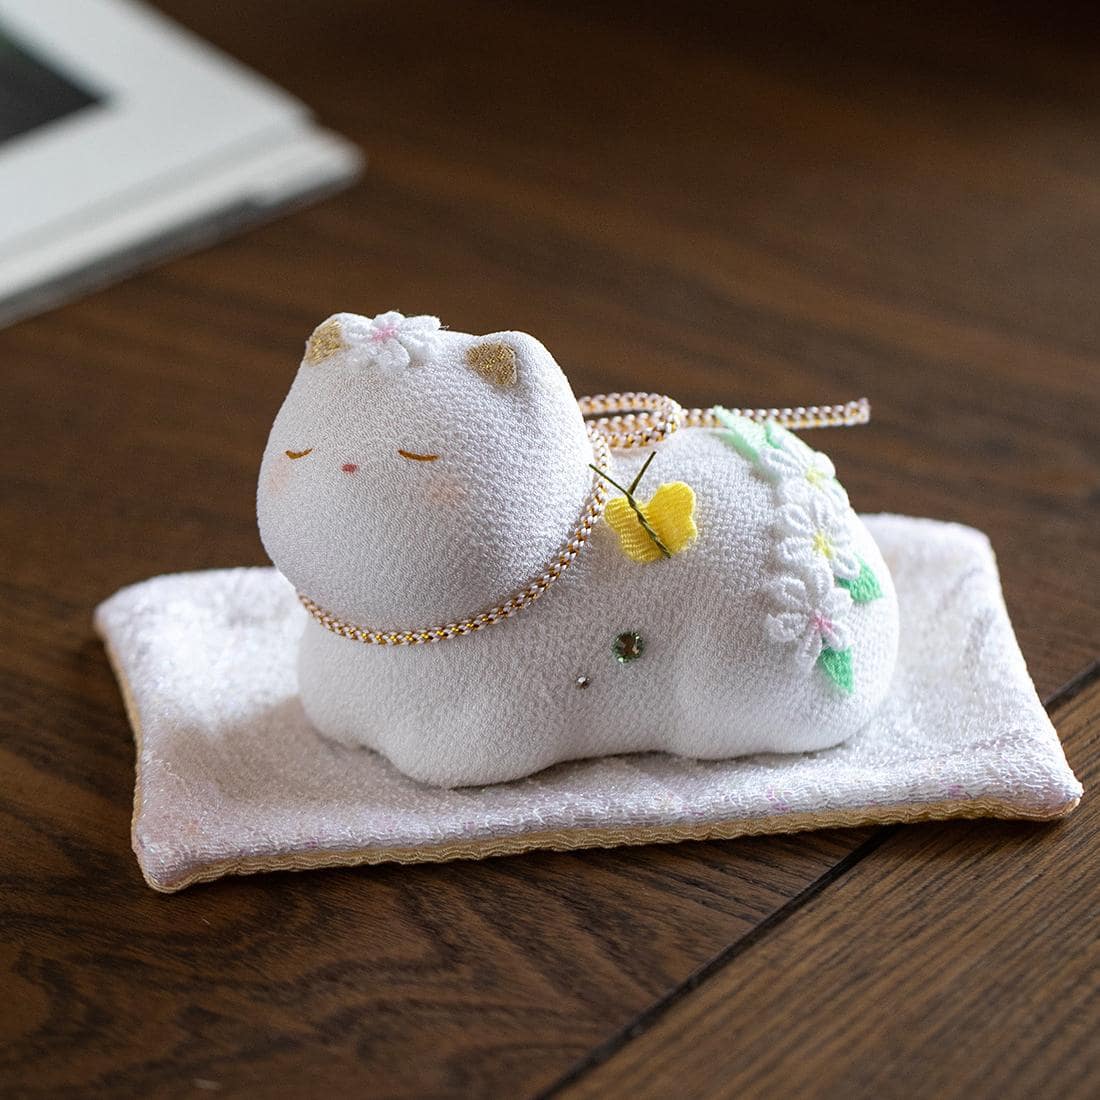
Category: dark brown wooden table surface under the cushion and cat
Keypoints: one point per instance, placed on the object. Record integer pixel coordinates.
(795, 204)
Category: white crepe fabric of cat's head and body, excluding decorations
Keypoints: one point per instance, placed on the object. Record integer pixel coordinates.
(468, 529)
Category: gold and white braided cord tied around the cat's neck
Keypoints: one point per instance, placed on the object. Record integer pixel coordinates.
(615, 422)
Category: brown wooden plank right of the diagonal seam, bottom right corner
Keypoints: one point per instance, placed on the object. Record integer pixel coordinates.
(953, 961)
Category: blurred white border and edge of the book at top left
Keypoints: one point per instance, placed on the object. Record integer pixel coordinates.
(183, 145)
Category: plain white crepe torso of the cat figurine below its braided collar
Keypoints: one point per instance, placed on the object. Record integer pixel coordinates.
(502, 705)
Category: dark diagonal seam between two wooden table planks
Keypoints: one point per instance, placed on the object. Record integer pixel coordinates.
(645, 1020)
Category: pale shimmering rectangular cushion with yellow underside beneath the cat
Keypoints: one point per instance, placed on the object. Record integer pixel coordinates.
(233, 779)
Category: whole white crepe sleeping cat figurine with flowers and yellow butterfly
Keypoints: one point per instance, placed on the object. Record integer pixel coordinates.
(485, 604)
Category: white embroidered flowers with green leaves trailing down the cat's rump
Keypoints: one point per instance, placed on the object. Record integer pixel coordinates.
(815, 523)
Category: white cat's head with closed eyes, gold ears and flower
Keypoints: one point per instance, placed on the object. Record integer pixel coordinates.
(415, 476)
